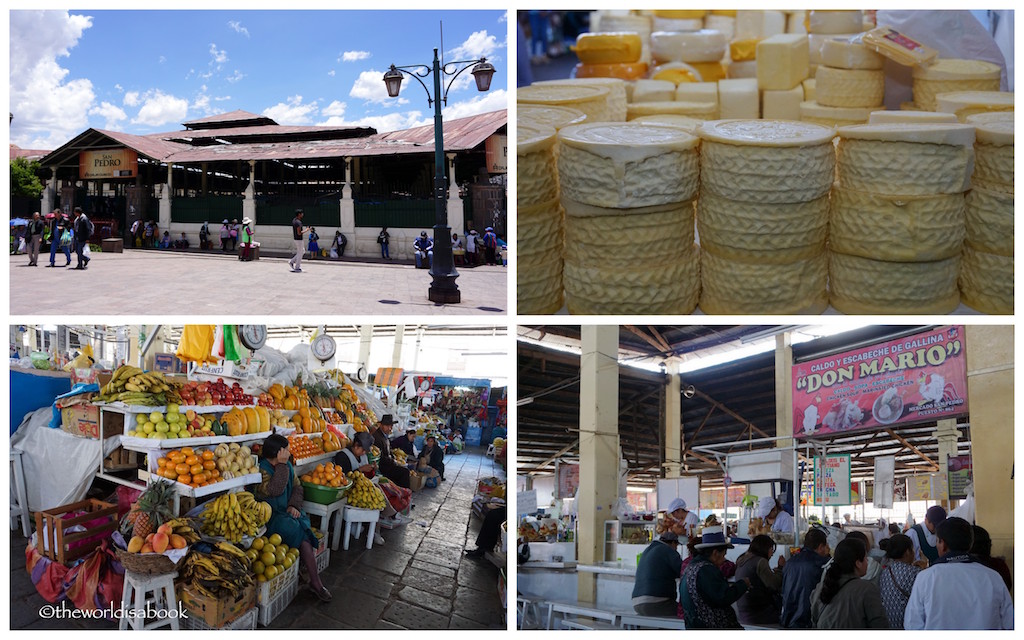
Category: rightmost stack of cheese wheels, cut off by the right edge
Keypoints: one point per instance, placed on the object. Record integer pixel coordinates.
(987, 279)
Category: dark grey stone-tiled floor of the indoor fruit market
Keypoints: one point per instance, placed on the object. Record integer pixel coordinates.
(420, 579)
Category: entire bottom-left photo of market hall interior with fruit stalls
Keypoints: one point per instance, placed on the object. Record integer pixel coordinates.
(192, 459)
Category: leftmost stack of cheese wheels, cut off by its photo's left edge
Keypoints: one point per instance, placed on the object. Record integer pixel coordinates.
(540, 229)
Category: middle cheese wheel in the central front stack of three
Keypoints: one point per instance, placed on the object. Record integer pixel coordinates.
(764, 233)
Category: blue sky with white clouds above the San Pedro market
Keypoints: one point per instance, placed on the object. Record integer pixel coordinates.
(146, 72)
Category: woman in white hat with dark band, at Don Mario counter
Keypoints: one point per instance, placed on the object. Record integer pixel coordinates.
(706, 595)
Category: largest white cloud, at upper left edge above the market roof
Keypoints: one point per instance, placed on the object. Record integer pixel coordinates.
(49, 107)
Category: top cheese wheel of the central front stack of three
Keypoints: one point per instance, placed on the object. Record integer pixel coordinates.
(766, 161)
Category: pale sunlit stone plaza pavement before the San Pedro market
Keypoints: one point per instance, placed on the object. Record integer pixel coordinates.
(190, 283)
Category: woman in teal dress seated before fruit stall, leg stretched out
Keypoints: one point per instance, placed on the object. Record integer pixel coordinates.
(281, 488)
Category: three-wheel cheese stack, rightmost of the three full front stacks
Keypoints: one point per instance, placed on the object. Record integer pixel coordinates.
(897, 224)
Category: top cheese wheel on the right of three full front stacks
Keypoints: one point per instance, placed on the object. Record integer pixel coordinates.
(907, 159)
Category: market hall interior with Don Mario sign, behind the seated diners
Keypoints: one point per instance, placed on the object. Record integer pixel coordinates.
(859, 428)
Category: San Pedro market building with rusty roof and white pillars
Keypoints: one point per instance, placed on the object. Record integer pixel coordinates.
(238, 165)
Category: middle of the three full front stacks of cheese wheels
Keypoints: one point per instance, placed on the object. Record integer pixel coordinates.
(762, 217)
